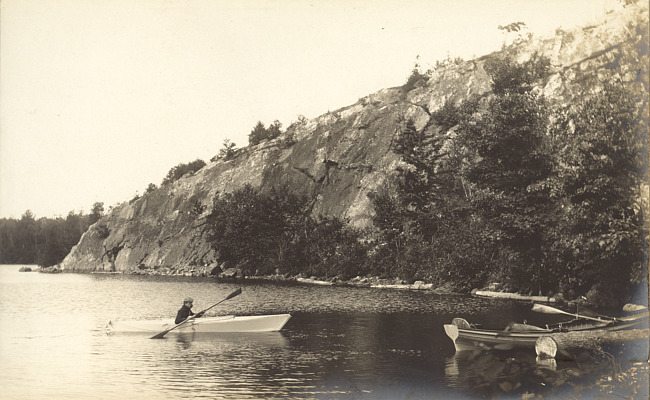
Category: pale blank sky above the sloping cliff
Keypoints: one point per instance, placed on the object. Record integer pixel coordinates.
(100, 98)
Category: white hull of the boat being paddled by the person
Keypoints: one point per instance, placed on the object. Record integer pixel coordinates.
(229, 323)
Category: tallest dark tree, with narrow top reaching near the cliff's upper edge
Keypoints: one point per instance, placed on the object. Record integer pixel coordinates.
(511, 164)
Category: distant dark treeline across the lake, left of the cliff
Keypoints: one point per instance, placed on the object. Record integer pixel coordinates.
(43, 241)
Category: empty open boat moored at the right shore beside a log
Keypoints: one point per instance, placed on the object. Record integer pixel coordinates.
(467, 338)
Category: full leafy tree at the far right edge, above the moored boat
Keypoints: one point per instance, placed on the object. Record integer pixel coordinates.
(602, 176)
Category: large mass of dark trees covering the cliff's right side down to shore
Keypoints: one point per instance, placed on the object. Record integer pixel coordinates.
(539, 199)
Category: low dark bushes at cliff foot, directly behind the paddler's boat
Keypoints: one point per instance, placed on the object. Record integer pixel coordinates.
(266, 233)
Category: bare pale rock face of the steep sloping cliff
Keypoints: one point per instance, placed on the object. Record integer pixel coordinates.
(339, 157)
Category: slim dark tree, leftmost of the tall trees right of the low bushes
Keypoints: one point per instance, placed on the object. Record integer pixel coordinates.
(408, 208)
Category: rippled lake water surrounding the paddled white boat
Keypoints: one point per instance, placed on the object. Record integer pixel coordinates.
(341, 343)
